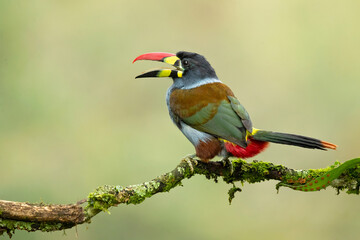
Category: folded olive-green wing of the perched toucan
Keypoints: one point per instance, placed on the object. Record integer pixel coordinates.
(227, 120)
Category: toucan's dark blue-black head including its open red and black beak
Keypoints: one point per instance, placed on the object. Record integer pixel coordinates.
(189, 67)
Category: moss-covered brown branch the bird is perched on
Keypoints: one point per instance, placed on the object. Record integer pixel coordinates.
(51, 217)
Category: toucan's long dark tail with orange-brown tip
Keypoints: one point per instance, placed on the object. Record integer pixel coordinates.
(292, 139)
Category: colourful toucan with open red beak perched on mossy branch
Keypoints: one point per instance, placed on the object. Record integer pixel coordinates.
(210, 116)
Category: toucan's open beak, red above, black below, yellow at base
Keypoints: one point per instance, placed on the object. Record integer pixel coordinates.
(168, 58)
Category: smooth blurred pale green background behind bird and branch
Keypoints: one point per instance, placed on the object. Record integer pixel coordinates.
(73, 117)
